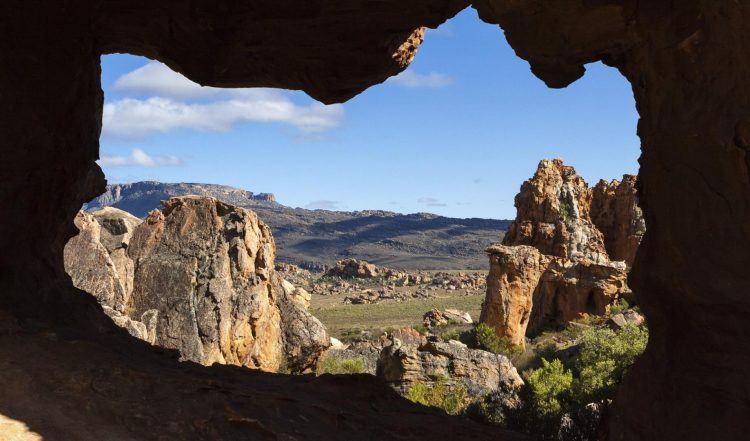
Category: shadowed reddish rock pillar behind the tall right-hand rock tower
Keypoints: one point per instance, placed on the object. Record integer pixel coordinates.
(615, 212)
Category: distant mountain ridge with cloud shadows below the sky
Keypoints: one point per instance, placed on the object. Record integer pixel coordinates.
(320, 237)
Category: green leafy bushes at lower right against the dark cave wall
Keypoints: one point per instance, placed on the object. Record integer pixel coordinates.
(563, 398)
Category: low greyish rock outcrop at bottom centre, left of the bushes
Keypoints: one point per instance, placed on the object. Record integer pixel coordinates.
(404, 365)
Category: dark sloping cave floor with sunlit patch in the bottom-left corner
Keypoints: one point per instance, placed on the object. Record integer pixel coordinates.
(58, 387)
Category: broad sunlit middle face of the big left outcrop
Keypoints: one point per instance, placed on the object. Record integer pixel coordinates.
(207, 268)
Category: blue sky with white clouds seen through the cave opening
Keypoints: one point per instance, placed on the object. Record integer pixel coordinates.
(455, 135)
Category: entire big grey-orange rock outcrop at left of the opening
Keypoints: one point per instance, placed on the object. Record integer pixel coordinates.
(197, 277)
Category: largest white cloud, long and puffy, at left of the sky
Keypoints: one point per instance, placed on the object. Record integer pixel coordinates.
(172, 106)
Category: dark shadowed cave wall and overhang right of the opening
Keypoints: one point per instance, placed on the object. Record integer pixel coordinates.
(687, 64)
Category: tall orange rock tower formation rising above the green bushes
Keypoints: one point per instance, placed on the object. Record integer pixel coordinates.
(553, 266)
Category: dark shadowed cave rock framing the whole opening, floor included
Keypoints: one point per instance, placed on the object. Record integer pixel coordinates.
(693, 129)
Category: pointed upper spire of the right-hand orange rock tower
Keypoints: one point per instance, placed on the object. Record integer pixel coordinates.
(553, 215)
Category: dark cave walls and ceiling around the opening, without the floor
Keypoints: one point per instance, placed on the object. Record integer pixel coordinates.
(687, 63)
